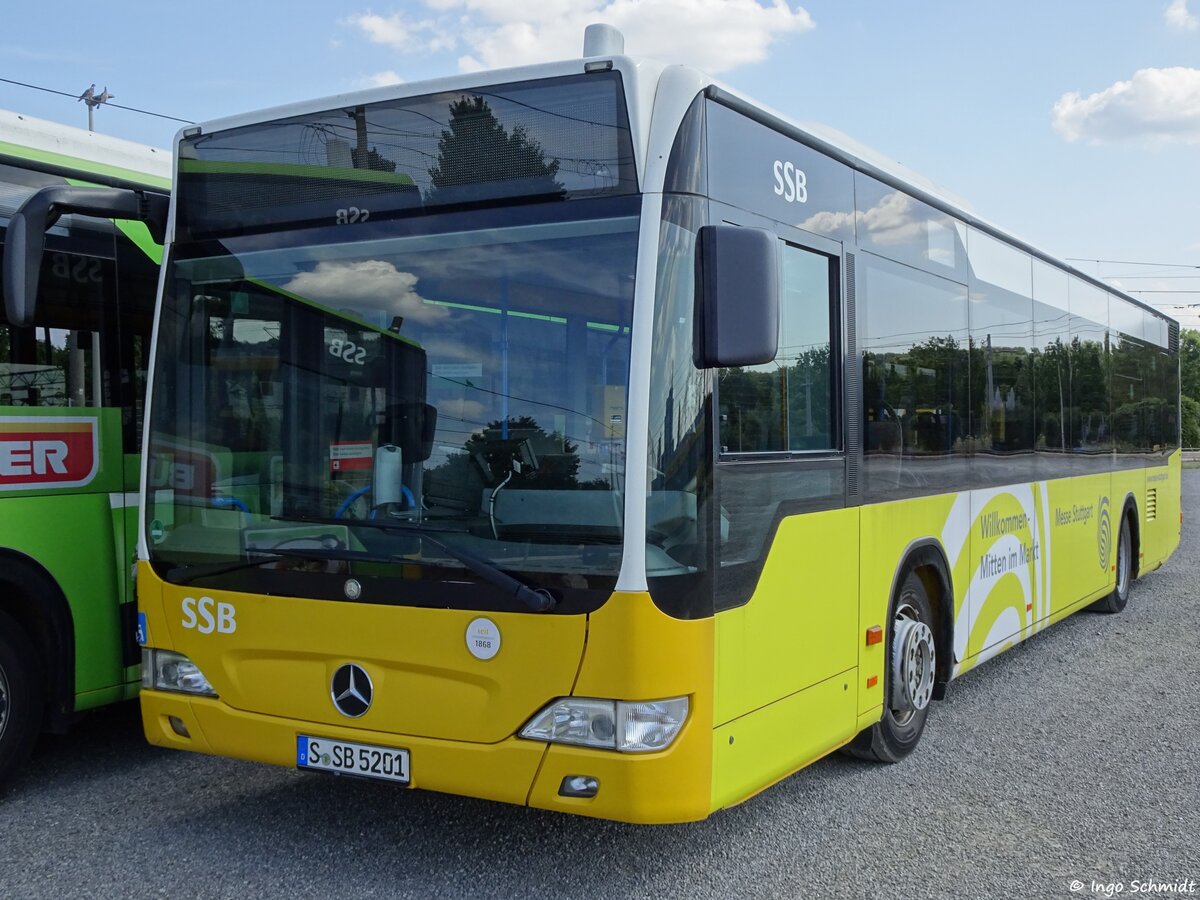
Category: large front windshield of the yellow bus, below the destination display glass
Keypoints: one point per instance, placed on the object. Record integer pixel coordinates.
(464, 373)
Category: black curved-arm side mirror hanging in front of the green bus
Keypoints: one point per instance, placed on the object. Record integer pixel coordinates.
(26, 237)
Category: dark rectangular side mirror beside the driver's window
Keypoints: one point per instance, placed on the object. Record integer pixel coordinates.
(737, 297)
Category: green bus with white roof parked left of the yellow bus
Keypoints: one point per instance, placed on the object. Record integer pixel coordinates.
(73, 385)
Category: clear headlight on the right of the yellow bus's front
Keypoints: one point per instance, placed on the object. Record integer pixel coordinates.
(632, 728)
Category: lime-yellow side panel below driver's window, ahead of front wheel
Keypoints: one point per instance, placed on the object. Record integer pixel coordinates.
(785, 680)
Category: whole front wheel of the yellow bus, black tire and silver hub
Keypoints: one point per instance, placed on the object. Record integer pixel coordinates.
(909, 682)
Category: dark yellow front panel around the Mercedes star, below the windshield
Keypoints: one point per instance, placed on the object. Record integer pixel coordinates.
(281, 657)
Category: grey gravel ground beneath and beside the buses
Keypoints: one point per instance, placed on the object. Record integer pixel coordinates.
(1073, 758)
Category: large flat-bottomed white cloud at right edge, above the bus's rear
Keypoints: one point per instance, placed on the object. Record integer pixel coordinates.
(1155, 106)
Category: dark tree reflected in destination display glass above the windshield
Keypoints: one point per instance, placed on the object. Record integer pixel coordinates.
(476, 149)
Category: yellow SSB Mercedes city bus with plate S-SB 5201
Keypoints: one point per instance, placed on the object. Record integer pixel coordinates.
(587, 437)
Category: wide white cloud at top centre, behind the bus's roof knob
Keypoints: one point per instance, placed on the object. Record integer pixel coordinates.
(716, 35)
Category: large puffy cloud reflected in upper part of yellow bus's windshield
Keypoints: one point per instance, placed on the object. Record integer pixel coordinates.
(369, 287)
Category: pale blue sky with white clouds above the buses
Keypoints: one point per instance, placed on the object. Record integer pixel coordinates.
(1073, 124)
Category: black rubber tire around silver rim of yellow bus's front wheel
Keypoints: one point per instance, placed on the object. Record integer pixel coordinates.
(899, 730)
